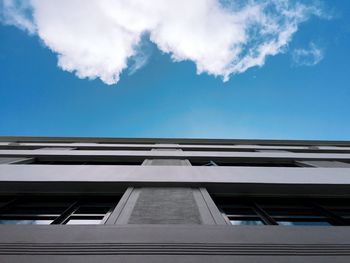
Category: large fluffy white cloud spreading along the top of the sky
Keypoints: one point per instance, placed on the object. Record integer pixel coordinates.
(97, 38)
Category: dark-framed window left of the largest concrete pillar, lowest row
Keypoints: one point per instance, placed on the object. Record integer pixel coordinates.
(56, 210)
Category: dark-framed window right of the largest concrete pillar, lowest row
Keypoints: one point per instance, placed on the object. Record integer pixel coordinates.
(284, 211)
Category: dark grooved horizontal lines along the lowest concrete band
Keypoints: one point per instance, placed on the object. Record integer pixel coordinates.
(172, 249)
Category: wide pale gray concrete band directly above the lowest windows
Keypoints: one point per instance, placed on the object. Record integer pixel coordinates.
(175, 174)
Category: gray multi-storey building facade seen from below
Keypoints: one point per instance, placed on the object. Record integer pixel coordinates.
(173, 200)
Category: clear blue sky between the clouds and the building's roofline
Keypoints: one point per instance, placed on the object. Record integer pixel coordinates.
(283, 99)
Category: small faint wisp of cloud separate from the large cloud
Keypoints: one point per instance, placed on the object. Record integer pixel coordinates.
(308, 57)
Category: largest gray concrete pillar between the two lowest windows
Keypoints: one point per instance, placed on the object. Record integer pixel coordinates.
(167, 205)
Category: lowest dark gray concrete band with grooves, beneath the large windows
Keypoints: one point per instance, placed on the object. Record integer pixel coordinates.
(170, 243)
